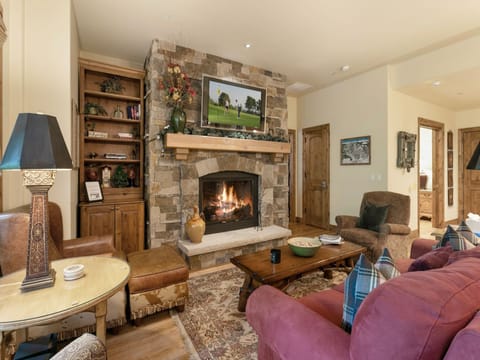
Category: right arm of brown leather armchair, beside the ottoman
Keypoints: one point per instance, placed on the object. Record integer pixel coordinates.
(89, 245)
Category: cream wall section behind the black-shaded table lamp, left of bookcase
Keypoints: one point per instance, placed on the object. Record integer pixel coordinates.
(38, 78)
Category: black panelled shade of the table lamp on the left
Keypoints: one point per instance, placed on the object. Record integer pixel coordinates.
(36, 143)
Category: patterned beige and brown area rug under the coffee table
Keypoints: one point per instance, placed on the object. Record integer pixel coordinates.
(216, 329)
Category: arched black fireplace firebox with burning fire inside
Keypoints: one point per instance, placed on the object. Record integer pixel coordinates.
(229, 200)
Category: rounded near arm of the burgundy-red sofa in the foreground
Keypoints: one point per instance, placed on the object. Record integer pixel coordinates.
(293, 330)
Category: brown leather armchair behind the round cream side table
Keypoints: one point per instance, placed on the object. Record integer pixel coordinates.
(13, 257)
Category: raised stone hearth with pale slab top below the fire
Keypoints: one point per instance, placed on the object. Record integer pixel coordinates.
(217, 249)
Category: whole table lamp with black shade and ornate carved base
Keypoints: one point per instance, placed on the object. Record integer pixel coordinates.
(37, 147)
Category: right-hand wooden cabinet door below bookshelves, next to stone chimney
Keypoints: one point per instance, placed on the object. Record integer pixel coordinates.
(129, 232)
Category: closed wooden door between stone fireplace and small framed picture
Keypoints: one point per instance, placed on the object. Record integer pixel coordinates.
(316, 176)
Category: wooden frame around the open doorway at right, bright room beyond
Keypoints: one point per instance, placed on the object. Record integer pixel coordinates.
(438, 171)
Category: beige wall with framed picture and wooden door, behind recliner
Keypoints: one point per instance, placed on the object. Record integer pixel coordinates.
(355, 107)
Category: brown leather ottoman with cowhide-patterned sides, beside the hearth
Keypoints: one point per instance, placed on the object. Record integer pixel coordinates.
(158, 281)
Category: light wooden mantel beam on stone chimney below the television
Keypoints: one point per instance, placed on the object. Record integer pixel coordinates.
(184, 142)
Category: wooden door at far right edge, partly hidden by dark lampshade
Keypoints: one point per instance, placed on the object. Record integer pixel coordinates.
(471, 178)
